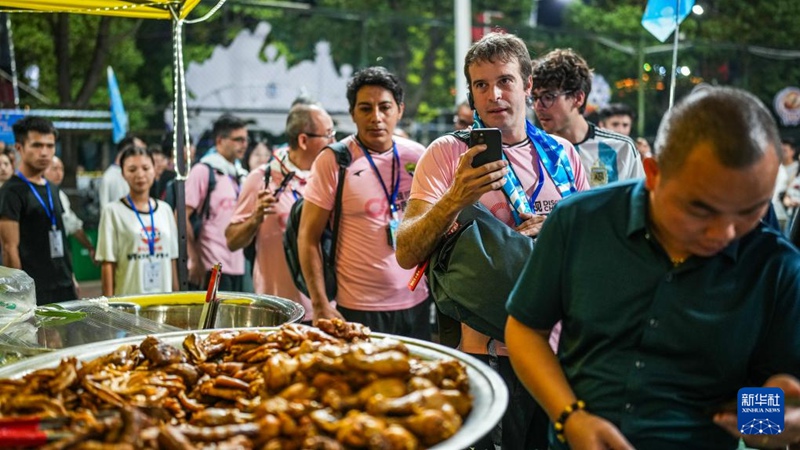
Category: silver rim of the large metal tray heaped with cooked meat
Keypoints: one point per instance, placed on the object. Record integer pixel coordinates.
(487, 388)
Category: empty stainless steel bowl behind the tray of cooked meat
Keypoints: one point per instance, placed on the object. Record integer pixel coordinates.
(236, 310)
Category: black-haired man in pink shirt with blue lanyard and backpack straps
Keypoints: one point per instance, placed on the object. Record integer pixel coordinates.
(371, 286)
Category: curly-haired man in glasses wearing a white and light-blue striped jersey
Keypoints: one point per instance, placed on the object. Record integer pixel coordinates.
(562, 82)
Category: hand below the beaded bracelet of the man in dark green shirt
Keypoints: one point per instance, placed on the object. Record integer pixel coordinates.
(585, 431)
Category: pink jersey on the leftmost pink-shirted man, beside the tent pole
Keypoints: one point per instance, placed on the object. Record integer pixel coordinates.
(211, 241)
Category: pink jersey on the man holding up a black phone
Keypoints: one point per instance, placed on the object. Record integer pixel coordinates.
(435, 173)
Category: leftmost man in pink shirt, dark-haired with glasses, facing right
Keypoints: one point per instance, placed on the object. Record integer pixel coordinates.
(216, 206)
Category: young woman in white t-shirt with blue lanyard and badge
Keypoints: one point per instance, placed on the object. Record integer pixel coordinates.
(137, 238)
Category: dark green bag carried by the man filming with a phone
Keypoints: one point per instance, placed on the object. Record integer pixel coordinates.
(473, 270)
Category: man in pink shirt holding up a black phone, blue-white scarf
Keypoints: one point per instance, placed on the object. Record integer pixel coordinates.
(498, 70)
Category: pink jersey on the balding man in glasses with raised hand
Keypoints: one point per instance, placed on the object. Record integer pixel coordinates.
(270, 273)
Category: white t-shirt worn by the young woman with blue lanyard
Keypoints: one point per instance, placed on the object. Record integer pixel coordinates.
(121, 240)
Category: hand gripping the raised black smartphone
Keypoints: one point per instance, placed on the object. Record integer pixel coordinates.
(470, 182)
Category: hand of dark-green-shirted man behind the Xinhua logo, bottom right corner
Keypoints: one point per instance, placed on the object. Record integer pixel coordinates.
(791, 427)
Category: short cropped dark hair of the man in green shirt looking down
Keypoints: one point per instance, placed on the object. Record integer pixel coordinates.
(737, 125)
